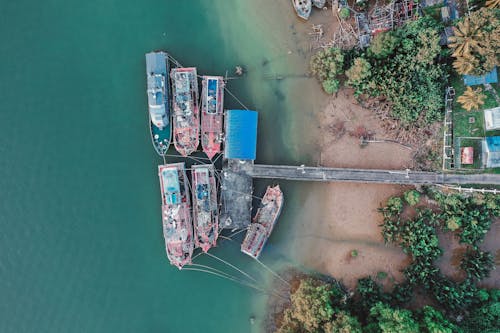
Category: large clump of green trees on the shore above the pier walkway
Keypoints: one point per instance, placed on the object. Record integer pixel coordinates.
(400, 65)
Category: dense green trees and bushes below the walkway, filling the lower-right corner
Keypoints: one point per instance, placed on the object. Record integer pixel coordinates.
(321, 306)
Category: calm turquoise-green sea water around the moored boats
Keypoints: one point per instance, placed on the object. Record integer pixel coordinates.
(80, 240)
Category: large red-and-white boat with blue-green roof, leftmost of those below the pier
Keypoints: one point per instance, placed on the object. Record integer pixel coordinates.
(176, 214)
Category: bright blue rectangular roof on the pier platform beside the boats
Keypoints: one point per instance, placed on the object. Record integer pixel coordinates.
(241, 134)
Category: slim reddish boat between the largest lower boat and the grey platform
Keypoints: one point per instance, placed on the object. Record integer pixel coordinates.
(205, 210)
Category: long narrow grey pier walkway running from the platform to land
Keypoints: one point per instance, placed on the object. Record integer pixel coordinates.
(368, 176)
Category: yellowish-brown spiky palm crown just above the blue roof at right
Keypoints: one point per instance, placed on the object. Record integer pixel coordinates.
(466, 38)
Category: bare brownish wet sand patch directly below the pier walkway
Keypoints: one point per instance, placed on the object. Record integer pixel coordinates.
(339, 218)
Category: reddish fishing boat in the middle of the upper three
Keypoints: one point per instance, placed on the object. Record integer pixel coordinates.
(186, 119)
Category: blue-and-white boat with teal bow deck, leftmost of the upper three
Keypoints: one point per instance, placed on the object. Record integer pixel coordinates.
(157, 68)
